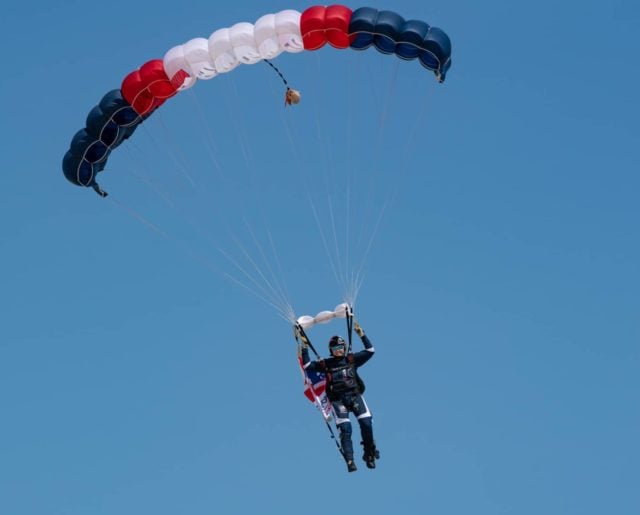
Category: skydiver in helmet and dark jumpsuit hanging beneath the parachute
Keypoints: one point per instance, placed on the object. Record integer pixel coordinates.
(344, 390)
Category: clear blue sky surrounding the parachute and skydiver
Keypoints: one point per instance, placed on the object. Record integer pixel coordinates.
(501, 290)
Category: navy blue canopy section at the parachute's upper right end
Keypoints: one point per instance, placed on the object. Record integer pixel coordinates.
(390, 33)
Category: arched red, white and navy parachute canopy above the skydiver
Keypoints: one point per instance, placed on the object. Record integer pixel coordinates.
(120, 111)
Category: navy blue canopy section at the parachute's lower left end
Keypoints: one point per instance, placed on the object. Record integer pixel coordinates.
(108, 124)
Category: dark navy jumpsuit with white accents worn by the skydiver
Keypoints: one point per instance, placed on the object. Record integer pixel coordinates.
(344, 390)
